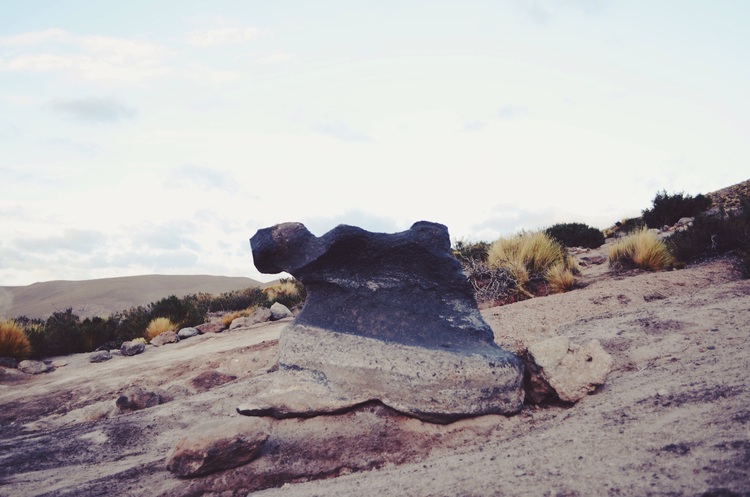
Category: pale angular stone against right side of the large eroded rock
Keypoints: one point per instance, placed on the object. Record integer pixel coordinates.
(557, 367)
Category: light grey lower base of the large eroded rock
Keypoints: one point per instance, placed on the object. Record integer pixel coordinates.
(325, 372)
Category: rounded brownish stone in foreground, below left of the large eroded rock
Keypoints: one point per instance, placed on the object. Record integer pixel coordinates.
(218, 445)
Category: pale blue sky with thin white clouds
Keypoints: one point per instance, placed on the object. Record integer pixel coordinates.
(156, 137)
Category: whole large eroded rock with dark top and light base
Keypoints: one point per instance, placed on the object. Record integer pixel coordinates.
(388, 317)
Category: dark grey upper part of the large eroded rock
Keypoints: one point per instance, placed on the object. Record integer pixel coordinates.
(403, 287)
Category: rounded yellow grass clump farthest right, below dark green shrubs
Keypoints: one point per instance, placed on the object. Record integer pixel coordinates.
(642, 249)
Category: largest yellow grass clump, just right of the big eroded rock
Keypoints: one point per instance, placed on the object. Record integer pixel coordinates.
(531, 256)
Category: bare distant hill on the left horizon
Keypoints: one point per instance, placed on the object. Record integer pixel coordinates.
(102, 297)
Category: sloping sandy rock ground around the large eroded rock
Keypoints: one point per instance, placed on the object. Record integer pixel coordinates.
(673, 418)
